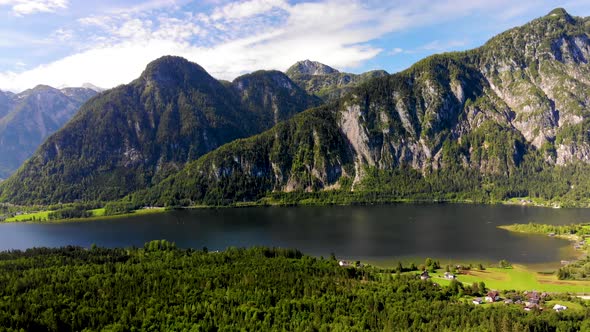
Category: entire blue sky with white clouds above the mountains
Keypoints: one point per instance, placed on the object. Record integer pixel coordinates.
(107, 43)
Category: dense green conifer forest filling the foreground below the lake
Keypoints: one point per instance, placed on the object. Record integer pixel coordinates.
(162, 288)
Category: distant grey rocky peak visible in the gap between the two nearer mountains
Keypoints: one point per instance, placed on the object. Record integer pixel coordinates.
(326, 82)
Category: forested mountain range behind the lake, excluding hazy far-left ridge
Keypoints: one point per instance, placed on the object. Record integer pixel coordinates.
(507, 119)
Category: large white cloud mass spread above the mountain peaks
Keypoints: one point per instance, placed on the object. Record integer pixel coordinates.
(245, 36)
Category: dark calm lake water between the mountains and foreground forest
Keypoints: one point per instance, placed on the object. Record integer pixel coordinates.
(375, 233)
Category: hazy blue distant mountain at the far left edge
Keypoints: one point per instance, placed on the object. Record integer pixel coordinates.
(27, 118)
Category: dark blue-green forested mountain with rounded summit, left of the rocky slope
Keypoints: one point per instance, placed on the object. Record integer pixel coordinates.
(136, 134)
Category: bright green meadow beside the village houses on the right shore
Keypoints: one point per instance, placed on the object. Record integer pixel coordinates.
(518, 278)
